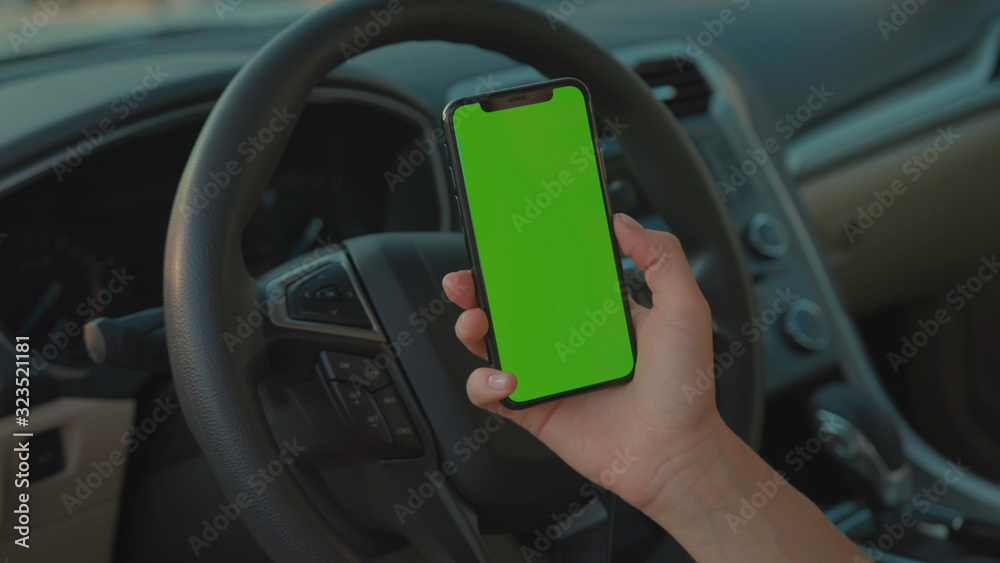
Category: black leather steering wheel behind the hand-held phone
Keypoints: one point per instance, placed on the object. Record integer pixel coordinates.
(329, 394)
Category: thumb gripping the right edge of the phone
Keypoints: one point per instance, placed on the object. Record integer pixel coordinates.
(660, 255)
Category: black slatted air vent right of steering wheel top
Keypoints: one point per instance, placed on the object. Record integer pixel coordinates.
(678, 83)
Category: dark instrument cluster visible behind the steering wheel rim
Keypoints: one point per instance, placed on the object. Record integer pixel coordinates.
(88, 240)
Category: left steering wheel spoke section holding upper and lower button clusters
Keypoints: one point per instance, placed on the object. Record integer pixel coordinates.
(325, 347)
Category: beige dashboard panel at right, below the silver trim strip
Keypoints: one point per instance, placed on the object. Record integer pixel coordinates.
(927, 236)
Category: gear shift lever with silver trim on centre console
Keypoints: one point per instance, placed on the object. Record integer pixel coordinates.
(865, 442)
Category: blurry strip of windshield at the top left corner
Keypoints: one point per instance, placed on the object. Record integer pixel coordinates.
(33, 27)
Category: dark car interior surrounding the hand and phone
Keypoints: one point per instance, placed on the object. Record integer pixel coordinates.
(183, 182)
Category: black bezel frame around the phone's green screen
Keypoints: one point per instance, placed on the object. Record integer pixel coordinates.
(470, 237)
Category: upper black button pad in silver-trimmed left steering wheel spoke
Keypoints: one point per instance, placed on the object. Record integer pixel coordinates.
(327, 296)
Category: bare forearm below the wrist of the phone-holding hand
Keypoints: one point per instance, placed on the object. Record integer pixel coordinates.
(726, 504)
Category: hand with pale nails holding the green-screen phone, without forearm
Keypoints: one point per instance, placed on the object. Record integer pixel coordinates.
(650, 420)
